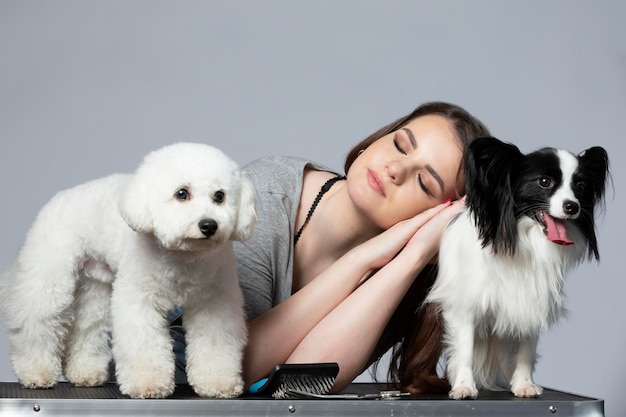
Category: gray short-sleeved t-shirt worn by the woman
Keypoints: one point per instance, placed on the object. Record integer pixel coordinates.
(265, 261)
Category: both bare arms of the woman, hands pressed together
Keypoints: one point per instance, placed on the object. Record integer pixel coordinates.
(335, 319)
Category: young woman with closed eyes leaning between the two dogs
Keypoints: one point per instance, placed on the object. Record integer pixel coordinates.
(338, 266)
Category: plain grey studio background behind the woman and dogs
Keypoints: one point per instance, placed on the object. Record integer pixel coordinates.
(87, 88)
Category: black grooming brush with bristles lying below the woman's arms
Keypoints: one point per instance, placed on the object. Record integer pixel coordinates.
(313, 378)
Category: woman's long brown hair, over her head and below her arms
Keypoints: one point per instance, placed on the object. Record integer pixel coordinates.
(415, 330)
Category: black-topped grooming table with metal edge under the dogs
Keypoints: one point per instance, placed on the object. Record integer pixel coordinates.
(65, 400)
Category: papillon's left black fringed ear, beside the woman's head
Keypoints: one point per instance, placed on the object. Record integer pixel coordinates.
(488, 164)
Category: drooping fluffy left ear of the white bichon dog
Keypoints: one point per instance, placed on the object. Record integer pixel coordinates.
(133, 205)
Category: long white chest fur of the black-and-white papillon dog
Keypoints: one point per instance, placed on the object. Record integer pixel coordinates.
(509, 295)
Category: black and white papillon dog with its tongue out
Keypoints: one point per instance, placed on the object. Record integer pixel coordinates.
(502, 261)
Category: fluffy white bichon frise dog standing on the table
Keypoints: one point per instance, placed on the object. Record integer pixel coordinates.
(113, 255)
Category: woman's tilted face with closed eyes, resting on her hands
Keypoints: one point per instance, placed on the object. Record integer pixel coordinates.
(406, 171)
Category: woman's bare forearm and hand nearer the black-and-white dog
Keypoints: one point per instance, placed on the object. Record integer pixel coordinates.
(349, 333)
